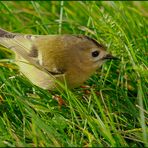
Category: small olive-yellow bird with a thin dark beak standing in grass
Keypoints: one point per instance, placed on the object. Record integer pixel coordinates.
(48, 59)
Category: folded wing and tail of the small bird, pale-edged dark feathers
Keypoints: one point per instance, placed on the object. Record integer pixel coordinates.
(23, 46)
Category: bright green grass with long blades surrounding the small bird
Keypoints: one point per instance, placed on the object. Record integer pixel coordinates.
(113, 111)
